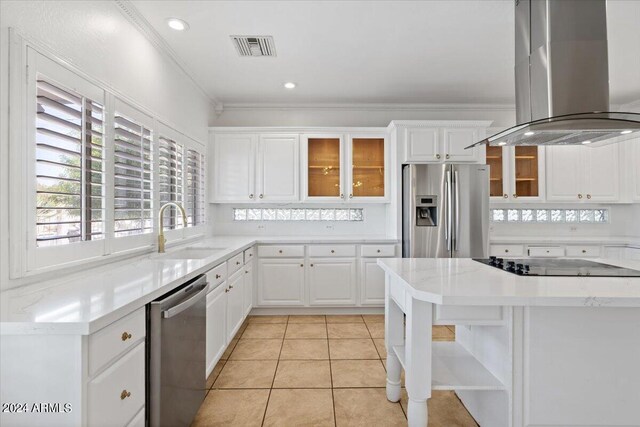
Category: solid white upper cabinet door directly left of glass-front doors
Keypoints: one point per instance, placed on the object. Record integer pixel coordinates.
(278, 168)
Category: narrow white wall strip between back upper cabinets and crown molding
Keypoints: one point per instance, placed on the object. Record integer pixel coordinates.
(382, 115)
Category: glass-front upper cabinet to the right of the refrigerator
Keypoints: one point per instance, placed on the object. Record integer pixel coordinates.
(515, 173)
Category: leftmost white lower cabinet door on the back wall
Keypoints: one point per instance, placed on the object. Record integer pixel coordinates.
(281, 281)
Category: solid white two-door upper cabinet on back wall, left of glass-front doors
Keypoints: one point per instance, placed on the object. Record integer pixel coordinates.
(255, 168)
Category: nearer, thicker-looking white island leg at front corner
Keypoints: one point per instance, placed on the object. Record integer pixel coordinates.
(418, 360)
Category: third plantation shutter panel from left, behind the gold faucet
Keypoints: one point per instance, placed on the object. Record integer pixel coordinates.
(170, 163)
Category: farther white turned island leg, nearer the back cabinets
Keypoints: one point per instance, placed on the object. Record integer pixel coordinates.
(394, 336)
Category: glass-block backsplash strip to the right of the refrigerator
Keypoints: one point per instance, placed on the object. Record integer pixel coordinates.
(584, 216)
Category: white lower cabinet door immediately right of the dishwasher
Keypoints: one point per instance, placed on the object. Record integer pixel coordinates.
(216, 325)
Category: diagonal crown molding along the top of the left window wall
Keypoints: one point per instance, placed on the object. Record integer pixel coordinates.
(133, 15)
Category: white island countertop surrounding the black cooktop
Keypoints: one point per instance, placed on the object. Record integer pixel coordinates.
(462, 281)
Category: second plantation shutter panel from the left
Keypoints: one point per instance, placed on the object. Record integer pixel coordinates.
(133, 187)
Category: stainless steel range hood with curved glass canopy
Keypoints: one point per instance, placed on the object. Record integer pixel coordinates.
(562, 77)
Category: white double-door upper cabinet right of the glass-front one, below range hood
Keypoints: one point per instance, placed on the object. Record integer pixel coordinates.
(583, 174)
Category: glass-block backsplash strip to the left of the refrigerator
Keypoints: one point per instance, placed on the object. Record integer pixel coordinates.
(297, 214)
